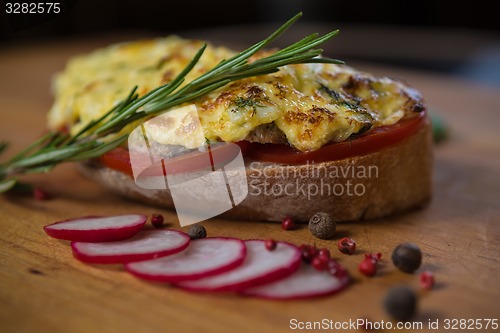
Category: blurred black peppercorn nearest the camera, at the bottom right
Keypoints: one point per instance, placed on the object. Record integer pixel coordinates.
(400, 303)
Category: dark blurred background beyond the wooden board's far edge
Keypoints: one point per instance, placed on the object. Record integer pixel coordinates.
(459, 39)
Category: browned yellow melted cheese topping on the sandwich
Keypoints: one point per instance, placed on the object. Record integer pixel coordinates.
(312, 104)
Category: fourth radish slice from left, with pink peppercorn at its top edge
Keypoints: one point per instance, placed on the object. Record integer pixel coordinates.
(259, 267)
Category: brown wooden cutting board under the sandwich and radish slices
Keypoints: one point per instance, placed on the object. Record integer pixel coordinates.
(43, 289)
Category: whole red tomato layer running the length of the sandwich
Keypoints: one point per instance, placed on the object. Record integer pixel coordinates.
(374, 140)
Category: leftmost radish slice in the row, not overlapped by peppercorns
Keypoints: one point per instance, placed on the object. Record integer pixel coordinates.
(97, 228)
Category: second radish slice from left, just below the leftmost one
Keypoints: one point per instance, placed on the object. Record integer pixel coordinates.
(145, 245)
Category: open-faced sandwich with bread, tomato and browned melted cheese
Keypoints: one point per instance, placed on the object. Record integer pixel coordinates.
(314, 136)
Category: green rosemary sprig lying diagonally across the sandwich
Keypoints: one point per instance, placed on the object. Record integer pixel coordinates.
(101, 135)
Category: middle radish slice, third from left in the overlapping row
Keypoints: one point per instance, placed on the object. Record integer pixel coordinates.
(203, 257)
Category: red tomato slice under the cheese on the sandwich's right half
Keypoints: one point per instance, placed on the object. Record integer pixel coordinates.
(369, 142)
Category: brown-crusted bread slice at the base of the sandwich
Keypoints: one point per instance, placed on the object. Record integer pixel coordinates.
(394, 179)
